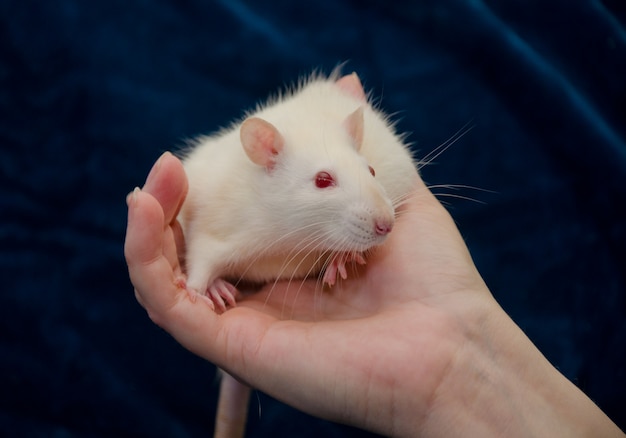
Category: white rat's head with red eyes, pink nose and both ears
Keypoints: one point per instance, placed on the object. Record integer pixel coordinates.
(323, 192)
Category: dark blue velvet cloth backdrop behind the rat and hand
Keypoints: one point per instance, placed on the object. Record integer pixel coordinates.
(92, 92)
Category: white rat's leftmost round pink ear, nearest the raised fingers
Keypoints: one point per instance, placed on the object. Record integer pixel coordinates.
(261, 141)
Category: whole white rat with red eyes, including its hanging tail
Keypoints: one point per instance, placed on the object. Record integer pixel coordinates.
(304, 185)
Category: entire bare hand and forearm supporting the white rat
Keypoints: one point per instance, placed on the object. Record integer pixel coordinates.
(411, 344)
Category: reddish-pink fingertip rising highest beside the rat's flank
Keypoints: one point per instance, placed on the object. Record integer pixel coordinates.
(167, 182)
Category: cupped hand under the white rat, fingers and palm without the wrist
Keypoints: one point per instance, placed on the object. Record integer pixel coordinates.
(325, 351)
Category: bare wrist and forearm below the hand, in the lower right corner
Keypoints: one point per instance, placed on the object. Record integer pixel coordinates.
(499, 384)
